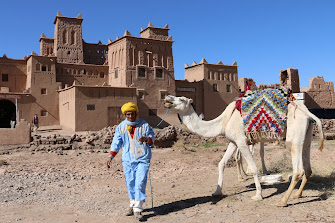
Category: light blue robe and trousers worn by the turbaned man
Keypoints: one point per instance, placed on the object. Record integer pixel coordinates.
(135, 156)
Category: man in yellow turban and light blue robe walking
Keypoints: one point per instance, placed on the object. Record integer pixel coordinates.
(136, 138)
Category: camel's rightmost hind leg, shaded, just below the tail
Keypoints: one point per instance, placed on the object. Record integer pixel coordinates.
(306, 159)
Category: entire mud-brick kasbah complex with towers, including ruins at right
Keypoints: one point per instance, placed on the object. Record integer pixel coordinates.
(81, 86)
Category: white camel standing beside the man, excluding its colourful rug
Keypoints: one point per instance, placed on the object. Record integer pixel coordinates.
(230, 124)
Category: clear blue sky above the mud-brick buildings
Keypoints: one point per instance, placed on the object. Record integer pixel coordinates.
(263, 37)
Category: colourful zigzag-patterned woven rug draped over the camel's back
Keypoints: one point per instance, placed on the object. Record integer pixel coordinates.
(264, 114)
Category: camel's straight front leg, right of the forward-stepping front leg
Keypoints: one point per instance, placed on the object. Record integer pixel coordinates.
(251, 164)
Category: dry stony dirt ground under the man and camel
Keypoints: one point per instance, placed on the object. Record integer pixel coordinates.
(77, 187)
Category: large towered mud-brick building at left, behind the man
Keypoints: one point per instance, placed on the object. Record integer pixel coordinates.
(82, 85)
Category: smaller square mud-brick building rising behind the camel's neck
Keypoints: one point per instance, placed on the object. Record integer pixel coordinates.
(215, 86)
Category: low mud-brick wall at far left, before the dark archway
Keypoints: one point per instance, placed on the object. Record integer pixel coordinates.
(19, 135)
